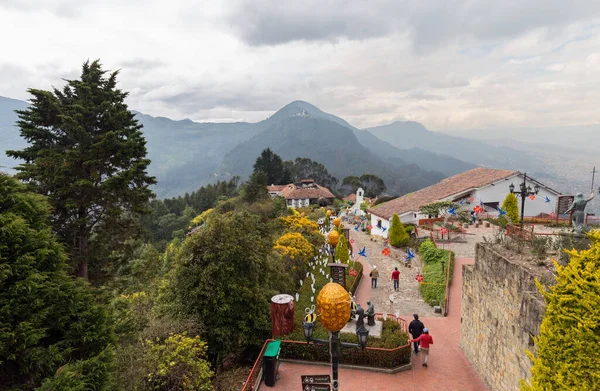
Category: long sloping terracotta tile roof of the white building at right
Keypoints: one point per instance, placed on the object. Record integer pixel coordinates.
(412, 202)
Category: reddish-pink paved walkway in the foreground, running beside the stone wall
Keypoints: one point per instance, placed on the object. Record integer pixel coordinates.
(448, 369)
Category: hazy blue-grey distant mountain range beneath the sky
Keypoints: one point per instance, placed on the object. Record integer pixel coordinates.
(187, 154)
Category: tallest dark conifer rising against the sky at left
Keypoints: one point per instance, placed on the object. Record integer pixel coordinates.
(87, 153)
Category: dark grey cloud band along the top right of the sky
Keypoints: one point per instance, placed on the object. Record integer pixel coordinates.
(429, 24)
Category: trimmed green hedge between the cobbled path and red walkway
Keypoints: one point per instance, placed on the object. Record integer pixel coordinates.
(433, 288)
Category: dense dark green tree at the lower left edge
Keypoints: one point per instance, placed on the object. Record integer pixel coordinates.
(47, 318)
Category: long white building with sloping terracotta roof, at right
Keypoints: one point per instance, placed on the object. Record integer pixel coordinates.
(480, 186)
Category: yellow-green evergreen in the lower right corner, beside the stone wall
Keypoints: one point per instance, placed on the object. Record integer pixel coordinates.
(566, 355)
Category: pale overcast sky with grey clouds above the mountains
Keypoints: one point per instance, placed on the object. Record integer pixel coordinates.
(447, 64)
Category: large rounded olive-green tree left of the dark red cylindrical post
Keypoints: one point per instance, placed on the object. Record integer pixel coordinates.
(223, 278)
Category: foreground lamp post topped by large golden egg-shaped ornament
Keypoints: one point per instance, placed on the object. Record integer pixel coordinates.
(333, 306)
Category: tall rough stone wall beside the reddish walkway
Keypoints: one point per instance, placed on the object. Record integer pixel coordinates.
(501, 311)
